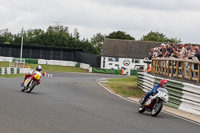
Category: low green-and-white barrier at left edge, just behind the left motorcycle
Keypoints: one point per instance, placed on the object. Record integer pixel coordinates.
(10, 70)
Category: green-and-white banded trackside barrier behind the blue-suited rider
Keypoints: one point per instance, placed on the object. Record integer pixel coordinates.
(182, 96)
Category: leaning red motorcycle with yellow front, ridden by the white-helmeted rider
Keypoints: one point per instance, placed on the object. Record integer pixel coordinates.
(31, 82)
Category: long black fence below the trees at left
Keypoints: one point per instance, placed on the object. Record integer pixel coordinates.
(50, 53)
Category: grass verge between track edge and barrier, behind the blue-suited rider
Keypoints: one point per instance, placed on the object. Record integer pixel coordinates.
(126, 87)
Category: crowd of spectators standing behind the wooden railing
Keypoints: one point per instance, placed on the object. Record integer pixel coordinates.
(179, 50)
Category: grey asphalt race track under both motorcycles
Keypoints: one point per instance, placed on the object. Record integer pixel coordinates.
(76, 103)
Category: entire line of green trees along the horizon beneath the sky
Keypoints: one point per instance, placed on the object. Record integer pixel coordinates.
(59, 36)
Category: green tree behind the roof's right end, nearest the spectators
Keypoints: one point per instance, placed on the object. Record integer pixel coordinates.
(158, 37)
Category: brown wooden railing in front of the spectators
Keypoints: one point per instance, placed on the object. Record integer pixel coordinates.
(172, 67)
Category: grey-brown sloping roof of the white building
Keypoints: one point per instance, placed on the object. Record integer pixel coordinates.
(127, 48)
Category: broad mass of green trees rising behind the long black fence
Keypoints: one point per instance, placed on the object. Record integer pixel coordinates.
(55, 36)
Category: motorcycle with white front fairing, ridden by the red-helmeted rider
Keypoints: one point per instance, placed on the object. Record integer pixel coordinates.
(154, 103)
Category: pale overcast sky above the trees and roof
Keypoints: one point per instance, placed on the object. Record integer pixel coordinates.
(174, 18)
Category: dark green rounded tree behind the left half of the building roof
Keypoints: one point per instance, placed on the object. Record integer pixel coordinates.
(120, 35)
